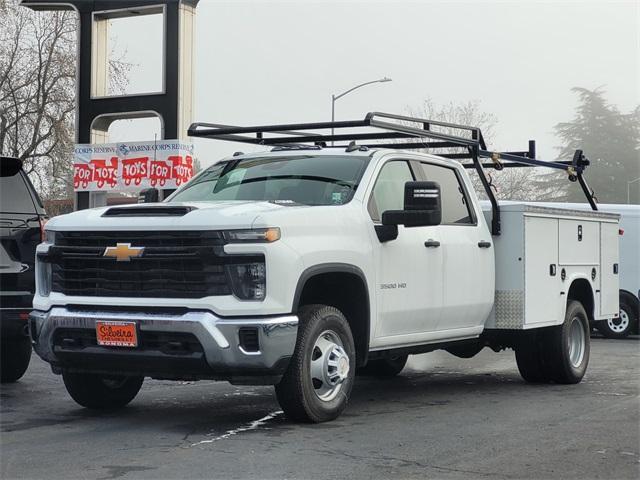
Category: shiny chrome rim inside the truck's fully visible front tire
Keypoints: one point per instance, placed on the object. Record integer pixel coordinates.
(329, 365)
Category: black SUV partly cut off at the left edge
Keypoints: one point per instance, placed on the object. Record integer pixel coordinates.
(22, 220)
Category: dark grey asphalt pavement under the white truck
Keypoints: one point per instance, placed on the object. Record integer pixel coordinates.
(443, 417)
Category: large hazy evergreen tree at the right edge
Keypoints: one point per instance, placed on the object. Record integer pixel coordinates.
(610, 140)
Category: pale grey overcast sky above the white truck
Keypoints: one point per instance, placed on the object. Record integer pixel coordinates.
(261, 62)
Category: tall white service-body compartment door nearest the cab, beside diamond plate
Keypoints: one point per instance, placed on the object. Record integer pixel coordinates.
(543, 302)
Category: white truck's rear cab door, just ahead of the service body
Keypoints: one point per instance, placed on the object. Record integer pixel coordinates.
(467, 250)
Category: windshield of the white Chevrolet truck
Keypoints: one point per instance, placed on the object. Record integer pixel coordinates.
(304, 179)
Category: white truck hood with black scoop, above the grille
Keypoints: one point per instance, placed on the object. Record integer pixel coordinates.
(198, 216)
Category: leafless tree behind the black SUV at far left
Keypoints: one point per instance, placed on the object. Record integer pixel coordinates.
(37, 93)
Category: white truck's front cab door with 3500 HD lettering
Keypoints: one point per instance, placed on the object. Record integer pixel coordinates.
(408, 273)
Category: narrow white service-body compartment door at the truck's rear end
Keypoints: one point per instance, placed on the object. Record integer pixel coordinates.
(609, 296)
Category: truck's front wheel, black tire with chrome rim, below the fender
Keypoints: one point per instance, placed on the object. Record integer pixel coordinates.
(298, 394)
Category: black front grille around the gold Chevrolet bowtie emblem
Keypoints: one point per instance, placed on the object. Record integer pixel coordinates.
(174, 264)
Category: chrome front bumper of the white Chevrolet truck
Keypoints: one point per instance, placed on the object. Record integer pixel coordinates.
(185, 345)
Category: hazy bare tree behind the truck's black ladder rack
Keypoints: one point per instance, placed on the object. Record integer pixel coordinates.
(510, 183)
